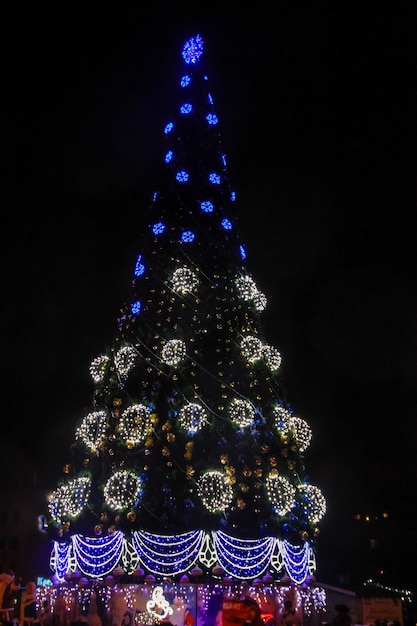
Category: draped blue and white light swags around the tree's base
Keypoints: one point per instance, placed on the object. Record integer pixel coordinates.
(242, 559)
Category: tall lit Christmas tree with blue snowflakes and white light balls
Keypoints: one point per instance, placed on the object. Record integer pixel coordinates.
(189, 461)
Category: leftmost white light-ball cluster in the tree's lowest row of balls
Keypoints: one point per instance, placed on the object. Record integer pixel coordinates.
(69, 500)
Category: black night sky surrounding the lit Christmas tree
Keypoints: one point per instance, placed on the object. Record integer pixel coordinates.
(317, 108)
